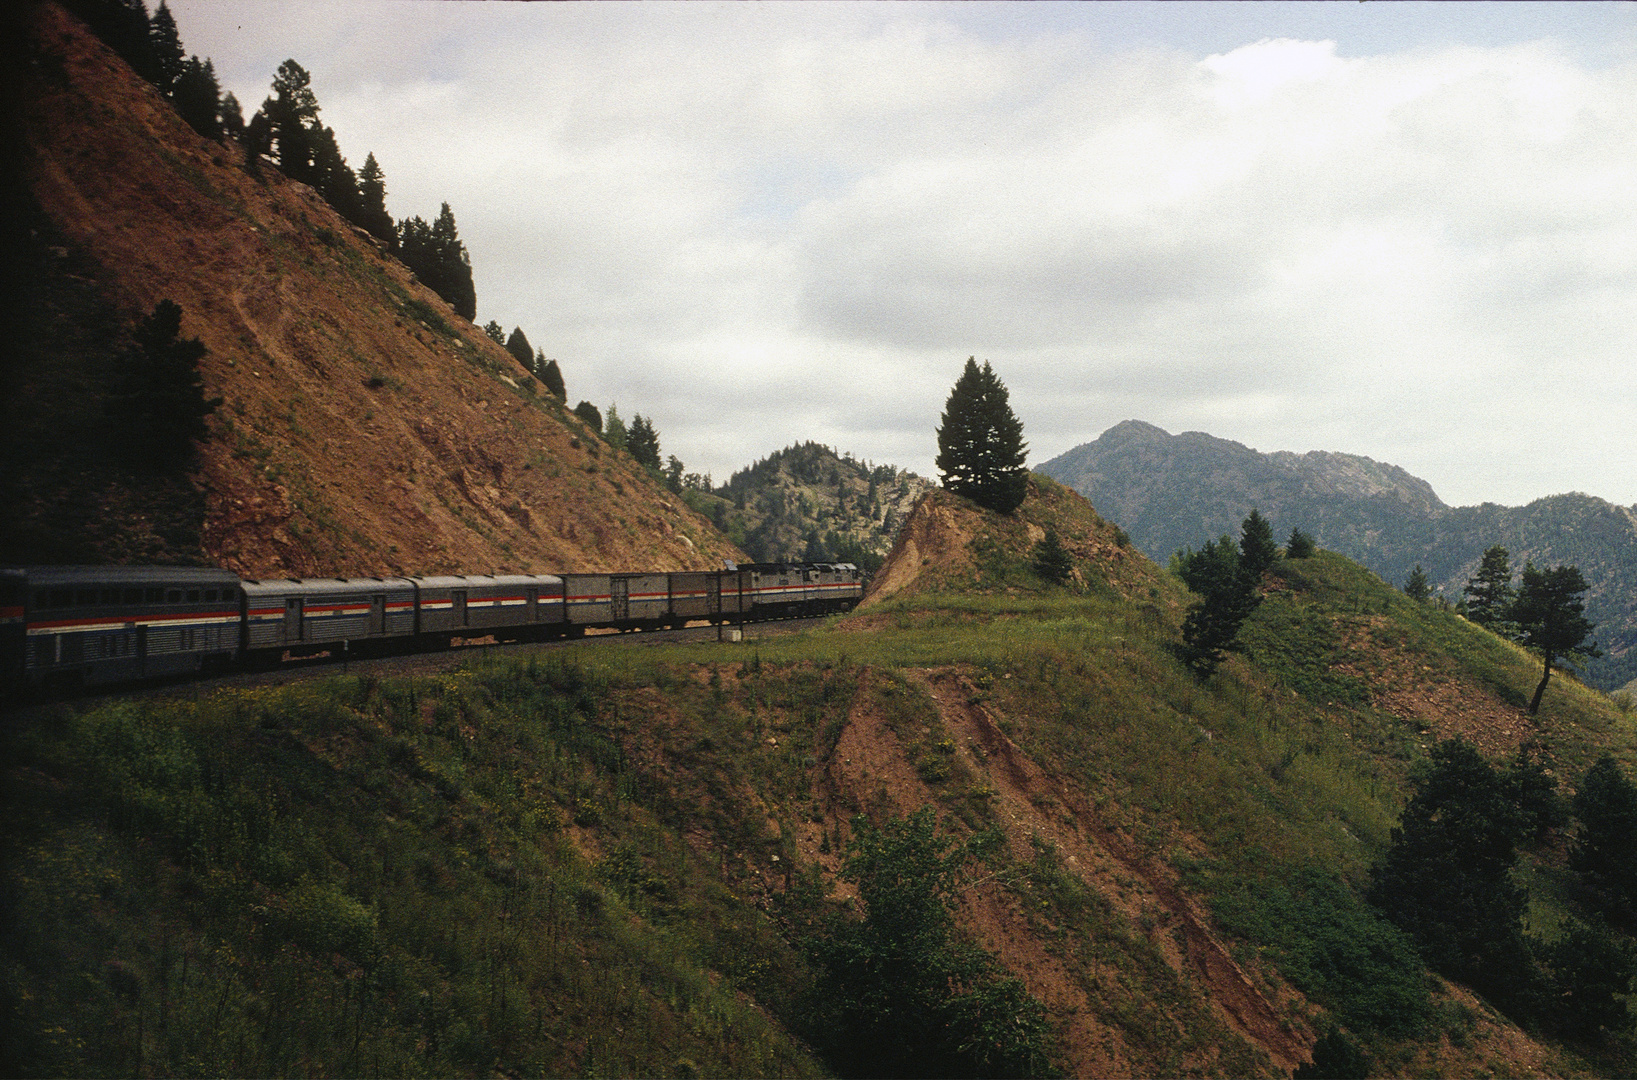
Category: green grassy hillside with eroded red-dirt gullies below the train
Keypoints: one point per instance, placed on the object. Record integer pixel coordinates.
(615, 860)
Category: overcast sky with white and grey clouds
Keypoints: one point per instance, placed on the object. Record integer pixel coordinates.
(1397, 230)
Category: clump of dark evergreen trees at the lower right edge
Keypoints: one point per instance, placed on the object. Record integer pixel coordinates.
(1448, 881)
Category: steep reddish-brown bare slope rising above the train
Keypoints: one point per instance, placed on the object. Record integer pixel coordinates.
(366, 428)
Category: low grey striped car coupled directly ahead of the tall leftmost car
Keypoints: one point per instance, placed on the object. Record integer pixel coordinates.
(317, 614)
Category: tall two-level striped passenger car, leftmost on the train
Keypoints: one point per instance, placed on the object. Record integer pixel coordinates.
(109, 624)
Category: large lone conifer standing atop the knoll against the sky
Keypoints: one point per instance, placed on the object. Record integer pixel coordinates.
(981, 448)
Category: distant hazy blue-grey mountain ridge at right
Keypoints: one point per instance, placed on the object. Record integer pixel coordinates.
(1175, 492)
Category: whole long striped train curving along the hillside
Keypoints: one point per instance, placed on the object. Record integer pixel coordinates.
(88, 626)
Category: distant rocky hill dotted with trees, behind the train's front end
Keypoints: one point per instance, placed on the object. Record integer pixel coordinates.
(811, 503)
